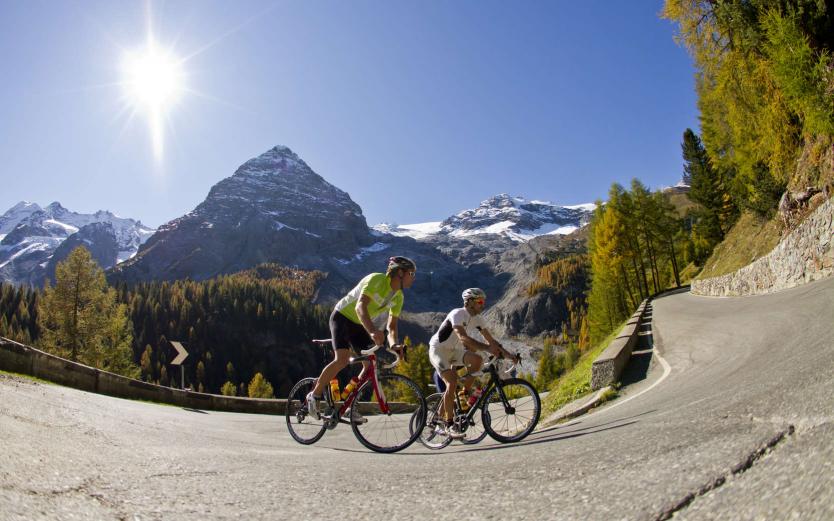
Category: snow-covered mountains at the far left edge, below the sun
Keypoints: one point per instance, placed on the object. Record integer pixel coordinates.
(32, 236)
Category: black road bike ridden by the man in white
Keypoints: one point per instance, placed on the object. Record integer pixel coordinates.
(510, 409)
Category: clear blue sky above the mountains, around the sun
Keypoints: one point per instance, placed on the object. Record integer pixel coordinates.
(416, 109)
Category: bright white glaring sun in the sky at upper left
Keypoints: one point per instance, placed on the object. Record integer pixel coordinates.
(153, 79)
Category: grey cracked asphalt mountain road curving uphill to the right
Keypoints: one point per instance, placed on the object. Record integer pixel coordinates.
(733, 422)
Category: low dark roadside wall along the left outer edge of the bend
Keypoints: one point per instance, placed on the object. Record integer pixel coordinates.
(19, 358)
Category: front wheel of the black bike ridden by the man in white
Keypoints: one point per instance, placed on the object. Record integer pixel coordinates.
(511, 411)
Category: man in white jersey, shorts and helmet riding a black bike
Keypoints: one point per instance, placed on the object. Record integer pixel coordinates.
(453, 345)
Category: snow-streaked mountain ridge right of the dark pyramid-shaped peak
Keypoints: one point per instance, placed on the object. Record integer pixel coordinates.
(512, 217)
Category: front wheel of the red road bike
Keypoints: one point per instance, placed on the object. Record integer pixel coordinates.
(401, 426)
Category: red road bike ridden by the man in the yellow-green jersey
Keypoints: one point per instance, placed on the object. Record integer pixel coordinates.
(392, 404)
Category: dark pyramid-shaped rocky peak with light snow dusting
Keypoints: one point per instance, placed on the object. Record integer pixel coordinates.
(273, 209)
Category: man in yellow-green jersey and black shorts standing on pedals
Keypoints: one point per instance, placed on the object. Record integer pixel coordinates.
(351, 323)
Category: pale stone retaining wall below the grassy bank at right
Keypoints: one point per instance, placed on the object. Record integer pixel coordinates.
(805, 255)
